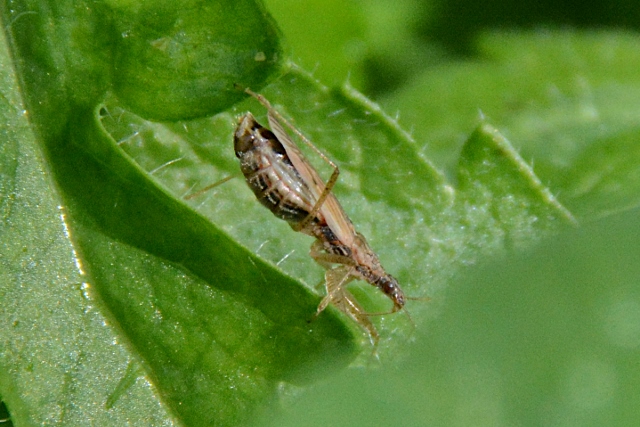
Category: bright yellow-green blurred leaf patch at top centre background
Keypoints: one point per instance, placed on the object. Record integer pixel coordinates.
(375, 45)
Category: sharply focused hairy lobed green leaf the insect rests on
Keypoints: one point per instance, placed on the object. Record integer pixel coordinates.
(198, 314)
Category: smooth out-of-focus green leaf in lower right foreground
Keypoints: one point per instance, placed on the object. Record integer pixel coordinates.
(544, 337)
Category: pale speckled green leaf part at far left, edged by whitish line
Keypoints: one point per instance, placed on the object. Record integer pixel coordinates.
(59, 355)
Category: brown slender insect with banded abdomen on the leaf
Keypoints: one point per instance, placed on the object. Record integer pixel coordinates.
(288, 185)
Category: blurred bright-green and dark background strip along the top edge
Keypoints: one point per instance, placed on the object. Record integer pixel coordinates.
(381, 44)
